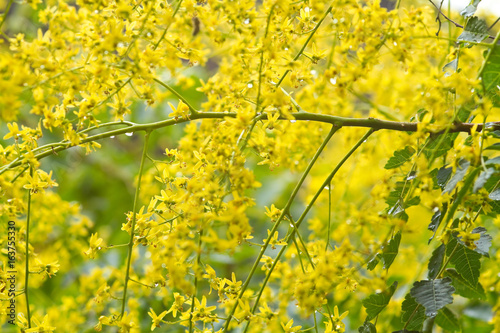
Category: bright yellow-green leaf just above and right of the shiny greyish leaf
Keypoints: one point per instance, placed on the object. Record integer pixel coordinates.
(465, 260)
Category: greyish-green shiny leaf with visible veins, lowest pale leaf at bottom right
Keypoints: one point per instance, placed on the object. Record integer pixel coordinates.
(433, 294)
